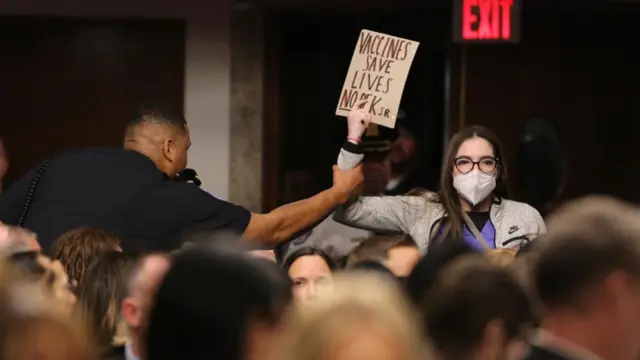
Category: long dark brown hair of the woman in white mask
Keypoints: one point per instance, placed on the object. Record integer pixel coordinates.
(447, 194)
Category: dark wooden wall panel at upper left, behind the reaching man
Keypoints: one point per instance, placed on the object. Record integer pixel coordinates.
(70, 82)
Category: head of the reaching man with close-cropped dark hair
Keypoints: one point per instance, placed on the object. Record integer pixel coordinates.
(160, 134)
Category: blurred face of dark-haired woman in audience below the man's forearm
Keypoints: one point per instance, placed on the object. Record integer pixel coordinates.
(309, 274)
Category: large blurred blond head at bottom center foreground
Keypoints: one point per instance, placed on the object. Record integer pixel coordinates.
(362, 316)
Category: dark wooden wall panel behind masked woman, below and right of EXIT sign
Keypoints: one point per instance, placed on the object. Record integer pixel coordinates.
(576, 68)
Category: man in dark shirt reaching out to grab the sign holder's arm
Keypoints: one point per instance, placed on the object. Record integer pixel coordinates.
(129, 192)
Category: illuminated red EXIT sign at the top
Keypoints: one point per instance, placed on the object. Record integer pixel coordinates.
(486, 19)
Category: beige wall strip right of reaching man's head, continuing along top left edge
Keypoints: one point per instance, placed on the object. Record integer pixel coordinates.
(207, 75)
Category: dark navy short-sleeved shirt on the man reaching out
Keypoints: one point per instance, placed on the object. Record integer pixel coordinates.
(122, 192)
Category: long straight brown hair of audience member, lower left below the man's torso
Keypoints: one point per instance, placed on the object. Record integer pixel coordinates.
(101, 291)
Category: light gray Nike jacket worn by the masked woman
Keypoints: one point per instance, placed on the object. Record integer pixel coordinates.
(516, 223)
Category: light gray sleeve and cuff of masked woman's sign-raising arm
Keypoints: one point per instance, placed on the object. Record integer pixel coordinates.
(377, 213)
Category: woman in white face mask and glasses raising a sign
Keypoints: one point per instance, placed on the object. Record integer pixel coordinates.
(471, 204)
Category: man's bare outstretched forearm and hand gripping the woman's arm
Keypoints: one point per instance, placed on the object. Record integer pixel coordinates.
(283, 223)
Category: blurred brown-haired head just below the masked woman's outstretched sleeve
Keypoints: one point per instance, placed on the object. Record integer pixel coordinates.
(398, 253)
